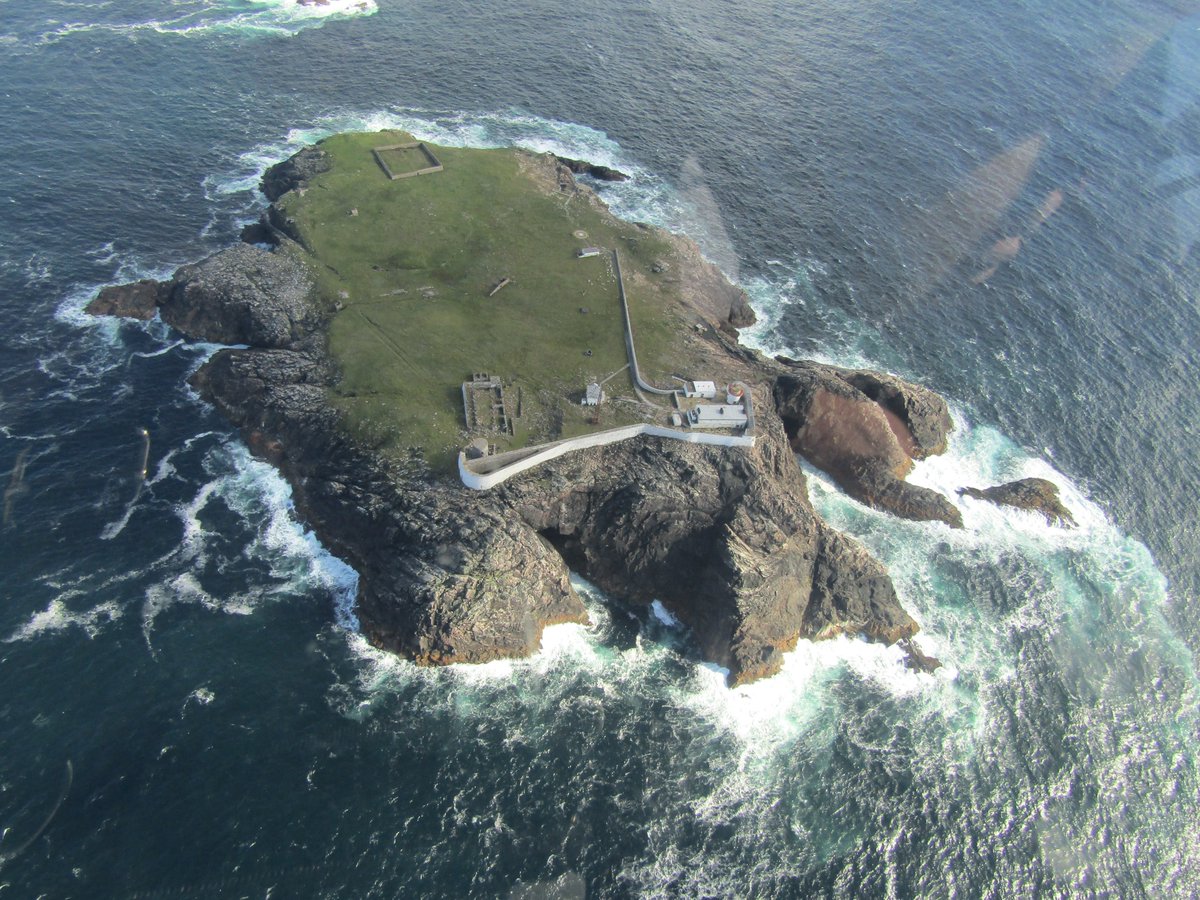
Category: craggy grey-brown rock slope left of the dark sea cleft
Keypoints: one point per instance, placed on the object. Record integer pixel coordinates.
(442, 580)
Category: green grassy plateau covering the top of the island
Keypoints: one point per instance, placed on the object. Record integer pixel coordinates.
(411, 274)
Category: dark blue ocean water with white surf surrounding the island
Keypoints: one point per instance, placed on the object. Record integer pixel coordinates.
(181, 680)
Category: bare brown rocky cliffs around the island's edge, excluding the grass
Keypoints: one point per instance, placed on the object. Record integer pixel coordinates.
(727, 539)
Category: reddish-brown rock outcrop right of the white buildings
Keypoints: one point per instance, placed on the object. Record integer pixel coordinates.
(863, 446)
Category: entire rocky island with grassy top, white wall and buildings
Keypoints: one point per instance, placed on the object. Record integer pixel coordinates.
(409, 317)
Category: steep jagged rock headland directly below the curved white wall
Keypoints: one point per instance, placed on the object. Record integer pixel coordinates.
(729, 543)
